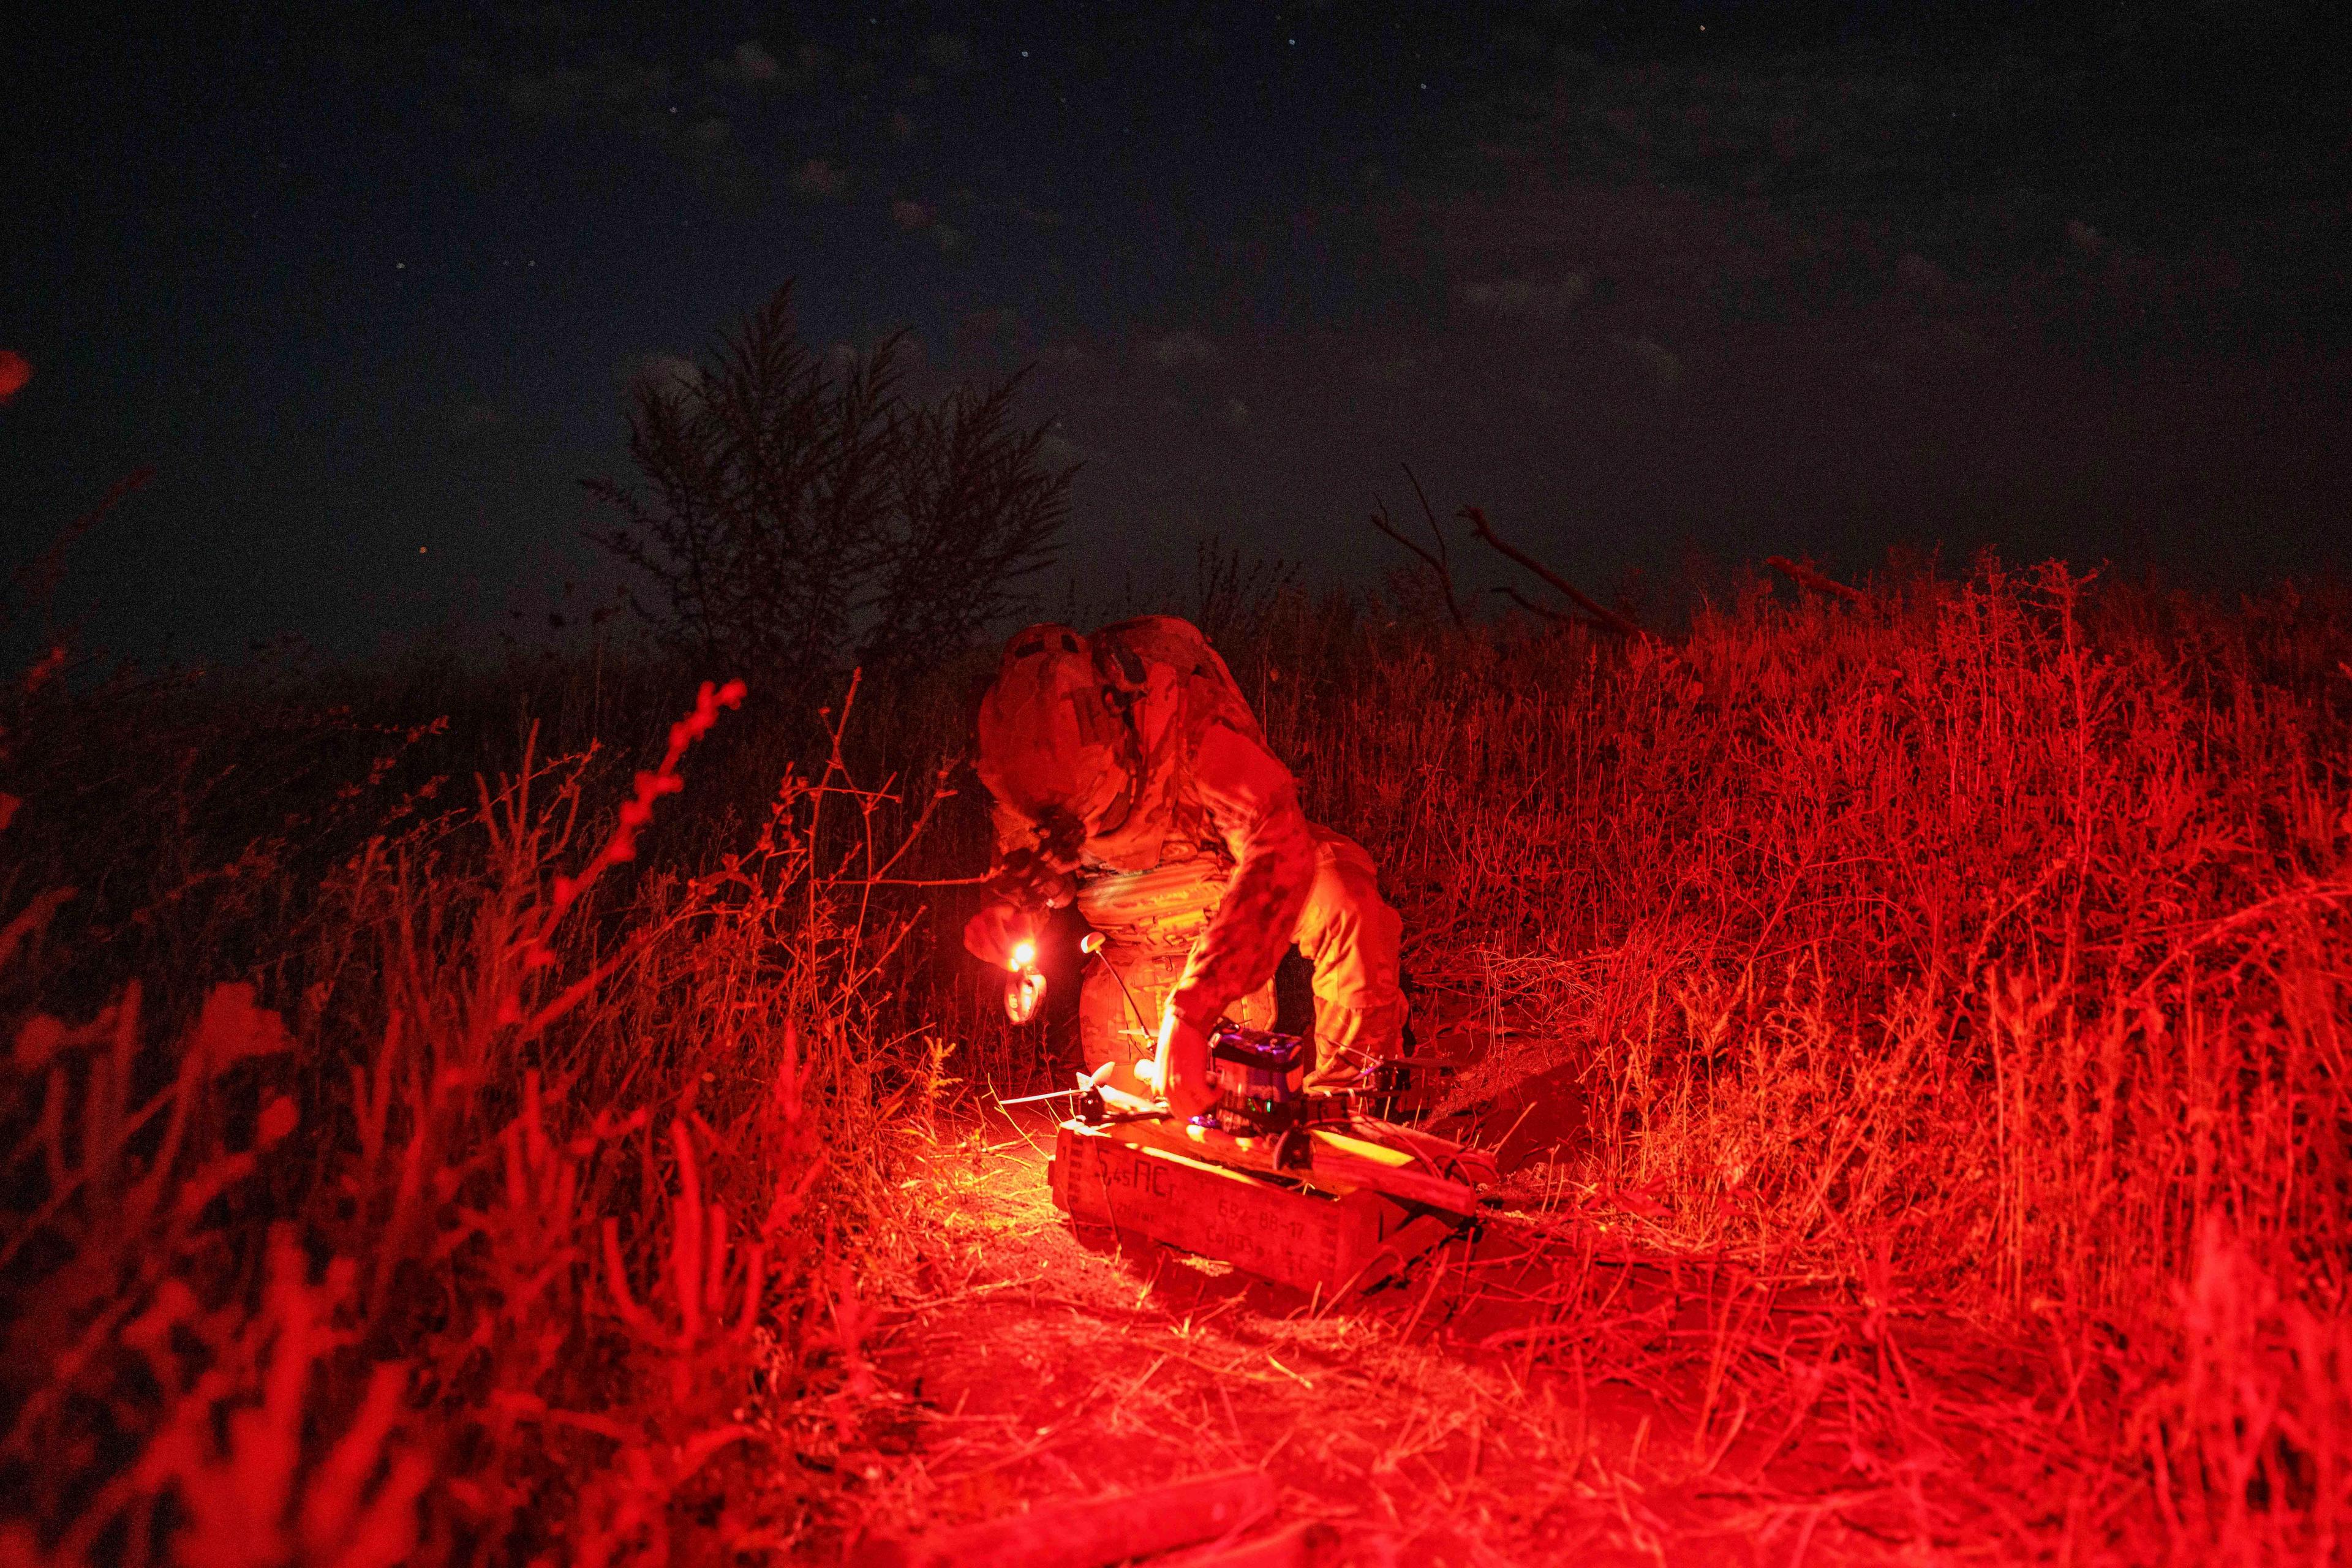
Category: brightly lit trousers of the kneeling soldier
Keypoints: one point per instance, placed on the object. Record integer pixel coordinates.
(1151, 923)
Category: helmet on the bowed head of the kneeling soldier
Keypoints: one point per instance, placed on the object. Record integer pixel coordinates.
(1053, 739)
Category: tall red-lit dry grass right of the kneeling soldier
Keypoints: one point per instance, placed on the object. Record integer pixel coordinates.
(1986, 946)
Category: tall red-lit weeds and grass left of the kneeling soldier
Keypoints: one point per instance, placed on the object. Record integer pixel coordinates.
(505, 1214)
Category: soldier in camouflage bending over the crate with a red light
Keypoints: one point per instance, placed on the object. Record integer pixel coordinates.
(1132, 779)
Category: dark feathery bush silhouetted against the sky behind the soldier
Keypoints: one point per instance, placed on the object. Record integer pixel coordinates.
(801, 516)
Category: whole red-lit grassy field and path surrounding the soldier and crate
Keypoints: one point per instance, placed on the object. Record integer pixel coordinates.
(1916, 1031)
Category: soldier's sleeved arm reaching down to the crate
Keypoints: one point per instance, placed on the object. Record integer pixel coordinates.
(1255, 805)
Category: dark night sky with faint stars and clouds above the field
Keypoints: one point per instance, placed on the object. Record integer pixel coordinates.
(1655, 286)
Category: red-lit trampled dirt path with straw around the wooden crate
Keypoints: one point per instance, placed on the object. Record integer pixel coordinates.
(1539, 1391)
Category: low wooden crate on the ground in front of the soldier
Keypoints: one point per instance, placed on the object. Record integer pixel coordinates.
(1264, 1226)
